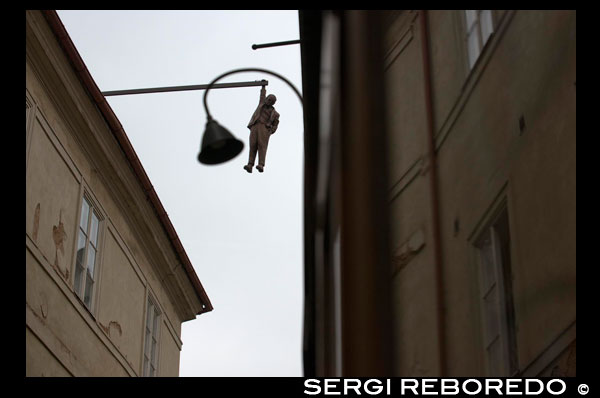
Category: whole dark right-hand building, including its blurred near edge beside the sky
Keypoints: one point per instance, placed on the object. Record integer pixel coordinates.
(440, 192)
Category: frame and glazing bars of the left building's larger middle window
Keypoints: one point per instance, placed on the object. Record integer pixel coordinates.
(80, 288)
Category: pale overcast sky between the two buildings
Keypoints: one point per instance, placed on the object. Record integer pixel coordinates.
(242, 232)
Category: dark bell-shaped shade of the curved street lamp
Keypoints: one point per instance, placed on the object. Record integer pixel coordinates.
(218, 144)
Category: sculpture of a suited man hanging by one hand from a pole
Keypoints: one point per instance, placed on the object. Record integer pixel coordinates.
(263, 123)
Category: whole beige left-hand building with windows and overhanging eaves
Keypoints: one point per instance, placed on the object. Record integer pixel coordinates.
(108, 283)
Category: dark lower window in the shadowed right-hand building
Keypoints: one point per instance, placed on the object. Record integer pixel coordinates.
(499, 339)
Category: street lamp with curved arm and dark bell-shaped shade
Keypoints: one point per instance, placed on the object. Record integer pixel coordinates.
(218, 144)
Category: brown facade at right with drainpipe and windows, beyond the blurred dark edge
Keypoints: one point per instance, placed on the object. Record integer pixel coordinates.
(481, 118)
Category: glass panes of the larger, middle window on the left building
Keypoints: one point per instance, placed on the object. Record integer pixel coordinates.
(87, 253)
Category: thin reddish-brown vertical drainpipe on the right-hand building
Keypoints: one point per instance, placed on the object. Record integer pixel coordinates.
(437, 247)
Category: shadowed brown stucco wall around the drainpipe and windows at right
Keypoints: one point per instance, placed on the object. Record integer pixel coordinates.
(527, 70)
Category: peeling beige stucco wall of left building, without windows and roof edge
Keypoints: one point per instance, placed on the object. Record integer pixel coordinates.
(70, 149)
